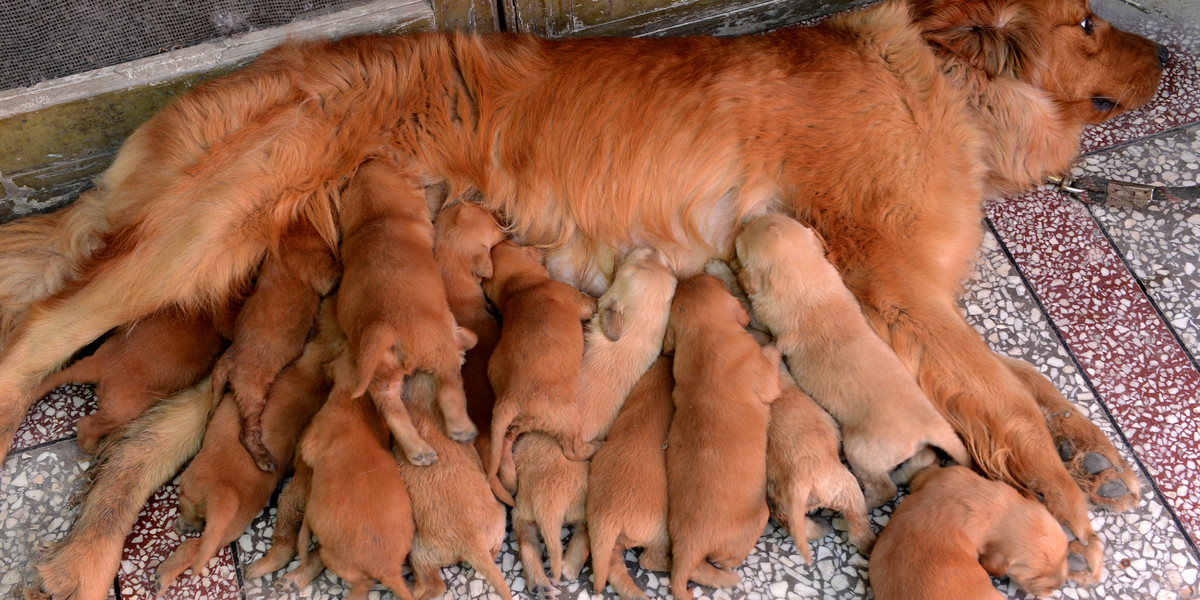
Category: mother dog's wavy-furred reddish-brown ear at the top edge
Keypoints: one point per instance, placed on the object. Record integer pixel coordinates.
(999, 37)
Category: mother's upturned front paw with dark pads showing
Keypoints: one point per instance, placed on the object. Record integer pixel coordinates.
(1094, 463)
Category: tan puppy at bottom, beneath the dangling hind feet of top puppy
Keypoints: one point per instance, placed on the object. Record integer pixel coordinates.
(457, 515)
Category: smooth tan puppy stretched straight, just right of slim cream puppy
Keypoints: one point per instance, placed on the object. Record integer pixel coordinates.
(717, 451)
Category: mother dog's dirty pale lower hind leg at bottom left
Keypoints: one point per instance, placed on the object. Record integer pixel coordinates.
(147, 454)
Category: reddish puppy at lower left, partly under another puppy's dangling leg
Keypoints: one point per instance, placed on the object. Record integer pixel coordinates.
(223, 490)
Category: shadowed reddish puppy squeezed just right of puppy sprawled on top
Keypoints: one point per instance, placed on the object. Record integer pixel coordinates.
(464, 237)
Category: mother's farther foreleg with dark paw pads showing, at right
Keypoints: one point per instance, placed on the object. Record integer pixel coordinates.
(1105, 477)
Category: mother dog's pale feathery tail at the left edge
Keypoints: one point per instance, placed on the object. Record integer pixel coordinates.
(39, 255)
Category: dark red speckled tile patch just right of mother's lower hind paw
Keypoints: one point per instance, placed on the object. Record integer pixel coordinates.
(153, 539)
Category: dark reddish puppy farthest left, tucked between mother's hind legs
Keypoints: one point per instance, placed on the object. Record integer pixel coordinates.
(140, 364)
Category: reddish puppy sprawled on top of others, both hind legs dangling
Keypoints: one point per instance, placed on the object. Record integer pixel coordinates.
(393, 304)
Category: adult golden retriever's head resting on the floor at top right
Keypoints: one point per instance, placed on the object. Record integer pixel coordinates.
(1089, 67)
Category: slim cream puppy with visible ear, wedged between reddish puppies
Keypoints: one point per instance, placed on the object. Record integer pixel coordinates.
(625, 338)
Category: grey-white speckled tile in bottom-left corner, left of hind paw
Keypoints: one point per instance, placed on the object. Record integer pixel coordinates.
(37, 491)
